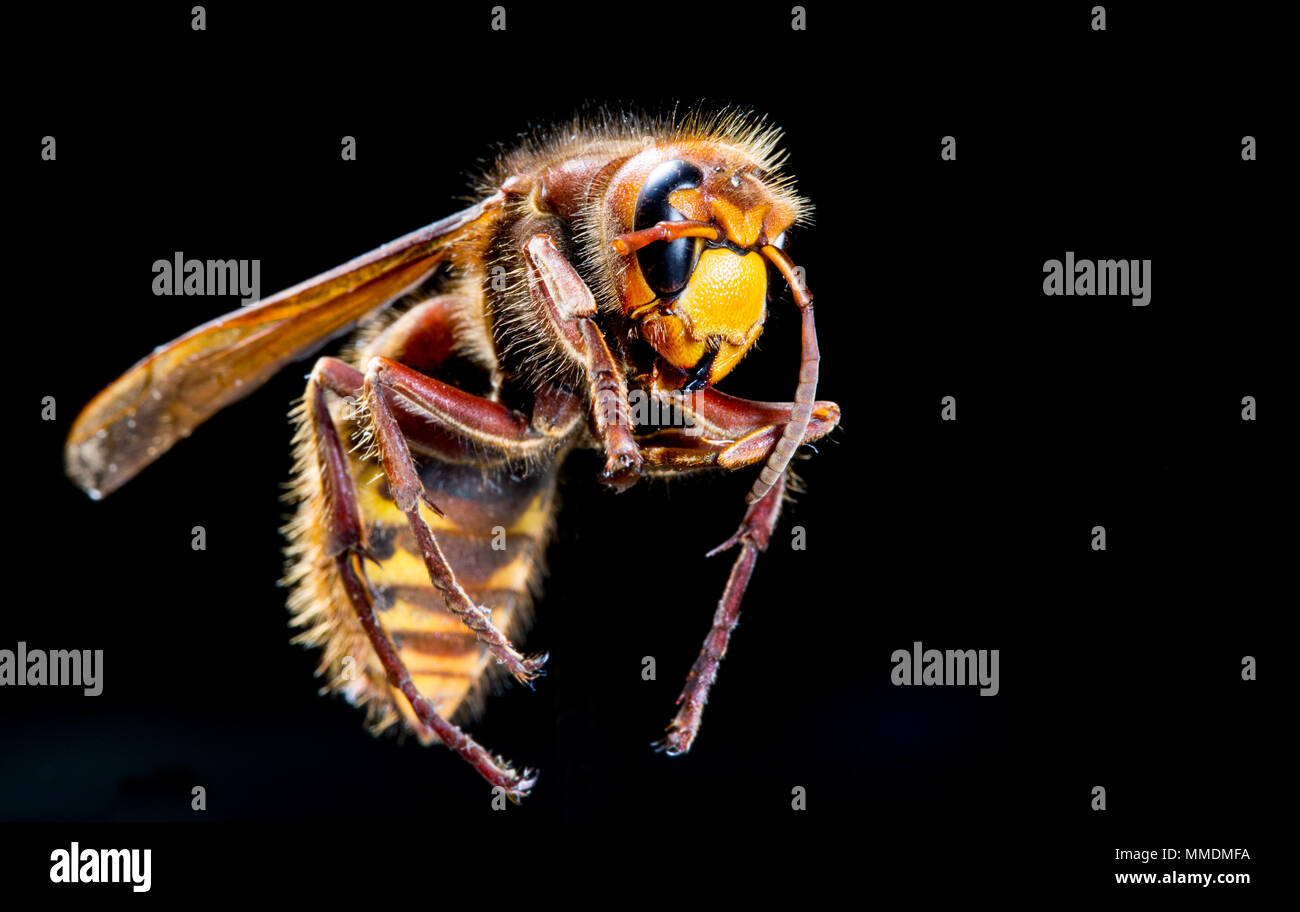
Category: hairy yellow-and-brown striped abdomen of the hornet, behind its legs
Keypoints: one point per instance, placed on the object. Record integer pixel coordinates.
(493, 535)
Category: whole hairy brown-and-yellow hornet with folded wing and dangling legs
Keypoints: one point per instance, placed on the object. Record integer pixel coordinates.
(627, 255)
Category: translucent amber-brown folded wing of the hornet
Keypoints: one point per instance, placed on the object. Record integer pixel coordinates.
(181, 385)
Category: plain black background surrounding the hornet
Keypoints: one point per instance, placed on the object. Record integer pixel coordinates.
(1119, 670)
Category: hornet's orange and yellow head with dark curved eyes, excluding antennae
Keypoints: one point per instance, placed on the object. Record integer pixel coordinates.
(701, 303)
